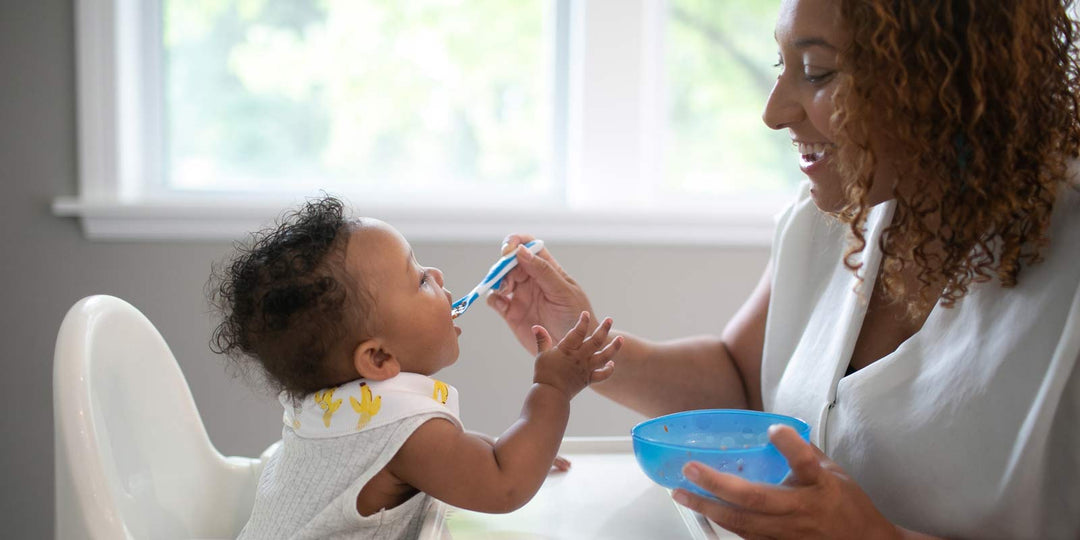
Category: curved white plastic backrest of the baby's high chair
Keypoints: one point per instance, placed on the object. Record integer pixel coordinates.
(133, 460)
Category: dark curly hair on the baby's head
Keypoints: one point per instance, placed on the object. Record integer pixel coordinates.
(288, 303)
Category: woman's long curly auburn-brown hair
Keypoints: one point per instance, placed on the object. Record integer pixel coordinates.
(981, 100)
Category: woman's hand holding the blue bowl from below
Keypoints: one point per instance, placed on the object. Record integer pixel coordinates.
(818, 499)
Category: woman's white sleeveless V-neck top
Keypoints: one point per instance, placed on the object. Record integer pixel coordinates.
(971, 428)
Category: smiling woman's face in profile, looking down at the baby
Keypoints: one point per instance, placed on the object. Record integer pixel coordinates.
(809, 37)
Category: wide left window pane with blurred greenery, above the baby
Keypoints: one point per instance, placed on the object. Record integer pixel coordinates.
(372, 96)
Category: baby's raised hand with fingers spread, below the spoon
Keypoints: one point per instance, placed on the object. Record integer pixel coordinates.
(576, 362)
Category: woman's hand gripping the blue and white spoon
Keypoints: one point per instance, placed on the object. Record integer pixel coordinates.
(538, 292)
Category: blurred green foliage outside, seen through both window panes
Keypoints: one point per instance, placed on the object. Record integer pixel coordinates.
(283, 94)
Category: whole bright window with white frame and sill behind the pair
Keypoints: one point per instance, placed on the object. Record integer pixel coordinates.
(607, 120)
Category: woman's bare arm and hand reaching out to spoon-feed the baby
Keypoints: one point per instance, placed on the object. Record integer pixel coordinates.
(654, 379)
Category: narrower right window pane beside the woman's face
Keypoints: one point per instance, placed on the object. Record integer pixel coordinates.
(719, 61)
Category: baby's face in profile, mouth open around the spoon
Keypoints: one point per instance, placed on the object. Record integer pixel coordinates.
(411, 307)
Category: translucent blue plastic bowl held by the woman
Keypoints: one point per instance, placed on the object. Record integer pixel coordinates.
(731, 441)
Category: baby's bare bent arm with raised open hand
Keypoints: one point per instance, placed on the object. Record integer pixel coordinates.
(467, 471)
